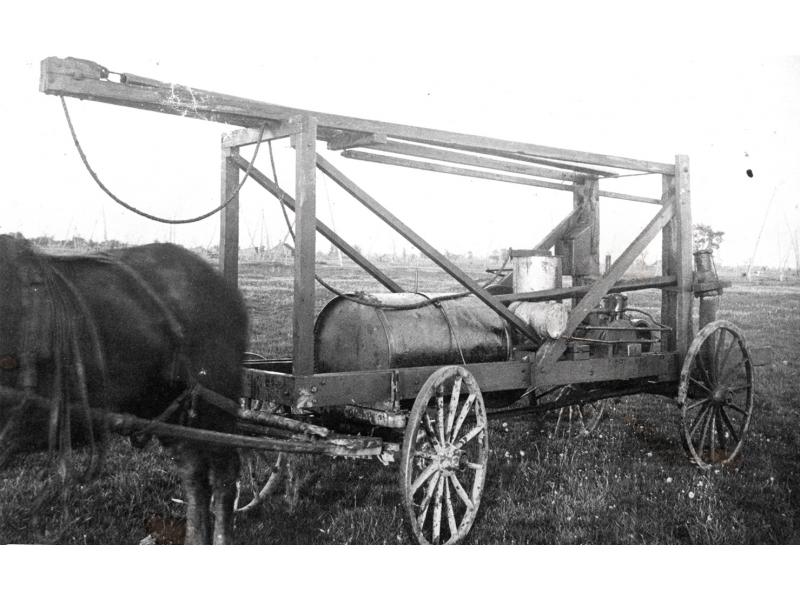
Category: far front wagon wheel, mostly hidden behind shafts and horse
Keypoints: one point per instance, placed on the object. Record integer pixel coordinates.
(260, 472)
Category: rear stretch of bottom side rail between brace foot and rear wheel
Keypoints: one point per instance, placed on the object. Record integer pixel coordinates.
(616, 368)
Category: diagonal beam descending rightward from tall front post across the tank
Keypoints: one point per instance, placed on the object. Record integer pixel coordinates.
(424, 247)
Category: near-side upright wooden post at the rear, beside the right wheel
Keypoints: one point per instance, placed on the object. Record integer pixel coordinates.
(684, 328)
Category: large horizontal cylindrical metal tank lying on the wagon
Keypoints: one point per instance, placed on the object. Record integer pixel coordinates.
(355, 337)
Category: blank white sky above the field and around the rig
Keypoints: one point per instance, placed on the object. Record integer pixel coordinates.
(721, 85)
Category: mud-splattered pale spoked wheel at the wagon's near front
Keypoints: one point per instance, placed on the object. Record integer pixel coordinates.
(444, 457)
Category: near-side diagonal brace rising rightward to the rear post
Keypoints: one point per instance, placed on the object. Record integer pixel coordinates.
(551, 351)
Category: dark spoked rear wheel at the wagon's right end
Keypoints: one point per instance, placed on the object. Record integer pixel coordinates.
(716, 394)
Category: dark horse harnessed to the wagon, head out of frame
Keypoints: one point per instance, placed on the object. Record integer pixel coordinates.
(134, 331)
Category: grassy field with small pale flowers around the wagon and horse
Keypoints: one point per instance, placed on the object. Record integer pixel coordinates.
(628, 483)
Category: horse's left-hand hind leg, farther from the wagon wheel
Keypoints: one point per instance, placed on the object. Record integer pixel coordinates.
(193, 469)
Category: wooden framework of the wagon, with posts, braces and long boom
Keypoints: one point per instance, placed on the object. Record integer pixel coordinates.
(378, 396)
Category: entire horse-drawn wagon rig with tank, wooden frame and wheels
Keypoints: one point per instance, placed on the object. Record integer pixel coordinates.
(414, 378)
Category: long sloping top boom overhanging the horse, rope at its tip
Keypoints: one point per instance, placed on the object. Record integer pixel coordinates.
(67, 77)
